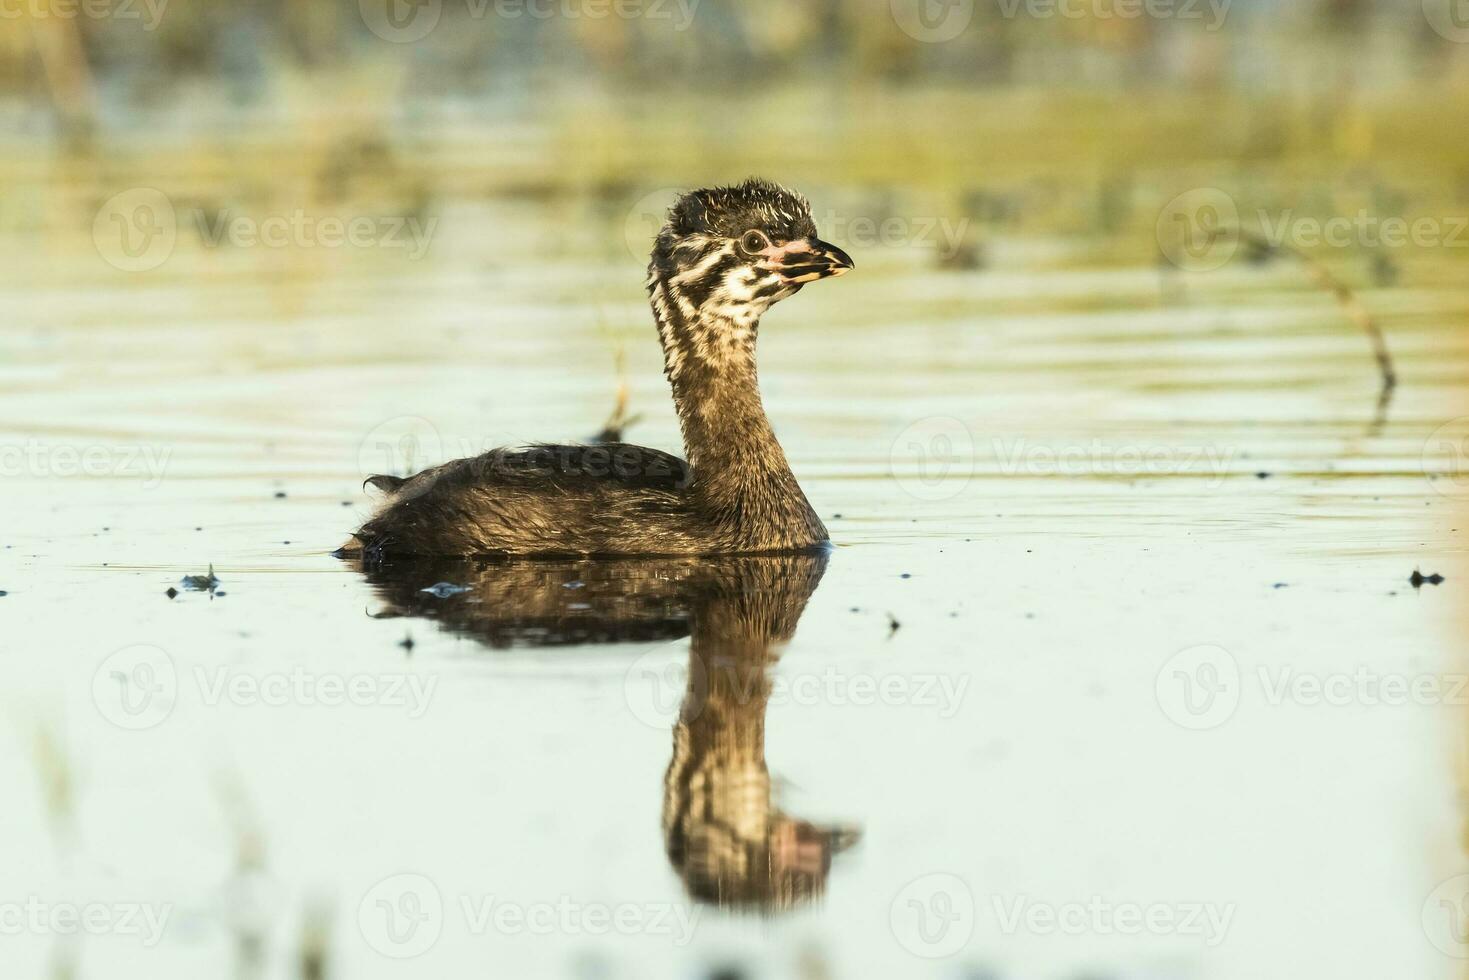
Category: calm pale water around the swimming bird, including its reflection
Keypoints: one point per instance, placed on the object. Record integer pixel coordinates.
(1116, 668)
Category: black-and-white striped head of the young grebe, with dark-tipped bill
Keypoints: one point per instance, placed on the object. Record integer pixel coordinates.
(731, 253)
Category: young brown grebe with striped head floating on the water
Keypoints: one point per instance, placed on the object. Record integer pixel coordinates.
(725, 256)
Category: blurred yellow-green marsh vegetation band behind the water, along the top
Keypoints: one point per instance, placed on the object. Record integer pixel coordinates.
(1029, 121)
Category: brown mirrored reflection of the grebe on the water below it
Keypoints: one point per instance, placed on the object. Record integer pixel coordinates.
(725, 837)
